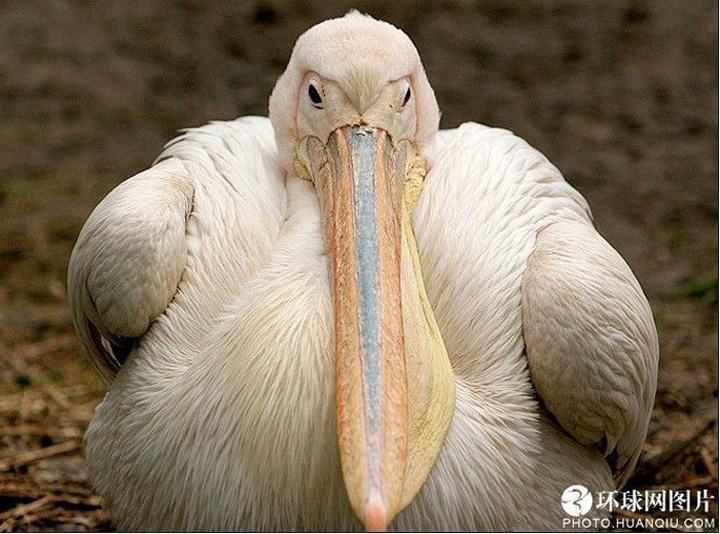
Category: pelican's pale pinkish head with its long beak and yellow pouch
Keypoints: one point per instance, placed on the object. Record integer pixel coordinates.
(354, 113)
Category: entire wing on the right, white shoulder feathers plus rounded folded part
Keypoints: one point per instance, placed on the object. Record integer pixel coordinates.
(517, 273)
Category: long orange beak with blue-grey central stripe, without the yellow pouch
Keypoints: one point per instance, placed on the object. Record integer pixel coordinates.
(359, 179)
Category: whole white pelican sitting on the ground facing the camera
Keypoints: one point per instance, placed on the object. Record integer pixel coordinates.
(340, 317)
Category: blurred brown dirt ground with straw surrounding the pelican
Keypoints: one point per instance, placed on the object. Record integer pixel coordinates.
(621, 96)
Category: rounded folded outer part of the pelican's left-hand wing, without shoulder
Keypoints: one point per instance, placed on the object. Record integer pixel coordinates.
(128, 261)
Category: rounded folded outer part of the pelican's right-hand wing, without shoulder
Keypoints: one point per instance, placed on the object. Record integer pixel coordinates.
(591, 341)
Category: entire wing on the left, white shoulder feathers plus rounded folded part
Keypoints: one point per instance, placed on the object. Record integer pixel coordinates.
(198, 222)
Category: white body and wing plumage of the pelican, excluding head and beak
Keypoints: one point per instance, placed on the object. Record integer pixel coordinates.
(208, 275)
